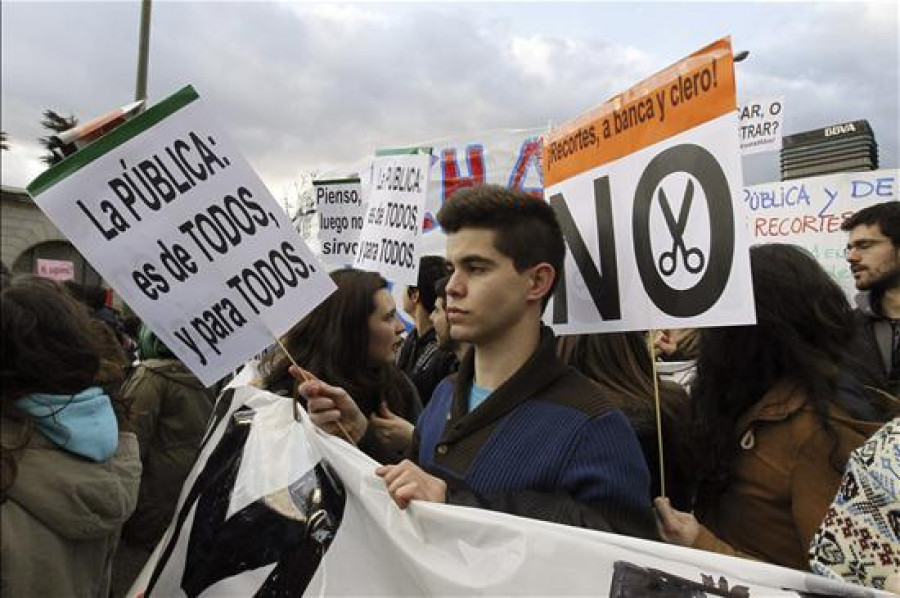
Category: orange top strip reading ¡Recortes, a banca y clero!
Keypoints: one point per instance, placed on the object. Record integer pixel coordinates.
(692, 91)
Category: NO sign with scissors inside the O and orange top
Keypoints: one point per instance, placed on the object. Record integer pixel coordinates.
(645, 188)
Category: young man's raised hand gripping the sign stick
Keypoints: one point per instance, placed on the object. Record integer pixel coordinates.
(328, 405)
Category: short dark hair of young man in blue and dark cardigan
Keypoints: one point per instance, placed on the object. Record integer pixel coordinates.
(526, 227)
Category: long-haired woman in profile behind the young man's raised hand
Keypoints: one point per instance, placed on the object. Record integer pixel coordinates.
(351, 340)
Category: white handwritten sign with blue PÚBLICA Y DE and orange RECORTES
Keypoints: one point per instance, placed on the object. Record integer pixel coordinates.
(809, 213)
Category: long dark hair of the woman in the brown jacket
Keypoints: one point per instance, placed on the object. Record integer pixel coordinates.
(804, 326)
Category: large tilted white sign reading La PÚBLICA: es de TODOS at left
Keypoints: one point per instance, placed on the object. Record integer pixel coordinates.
(168, 211)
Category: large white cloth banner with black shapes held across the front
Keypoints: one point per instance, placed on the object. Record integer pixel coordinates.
(275, 507)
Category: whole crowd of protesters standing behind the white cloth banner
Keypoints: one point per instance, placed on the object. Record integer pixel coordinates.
(482, 405)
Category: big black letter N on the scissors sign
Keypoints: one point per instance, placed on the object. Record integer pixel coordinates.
(604, 289)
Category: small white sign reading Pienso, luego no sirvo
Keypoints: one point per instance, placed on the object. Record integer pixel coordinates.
(341, 214)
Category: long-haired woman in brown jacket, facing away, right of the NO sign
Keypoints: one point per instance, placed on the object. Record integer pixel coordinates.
(777, 409)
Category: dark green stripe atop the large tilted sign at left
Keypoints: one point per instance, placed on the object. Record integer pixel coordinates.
(112, 140)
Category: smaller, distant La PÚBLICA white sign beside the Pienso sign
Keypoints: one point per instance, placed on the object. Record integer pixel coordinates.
(395, 211)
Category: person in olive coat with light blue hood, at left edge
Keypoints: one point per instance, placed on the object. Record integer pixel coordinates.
(69, 470)
